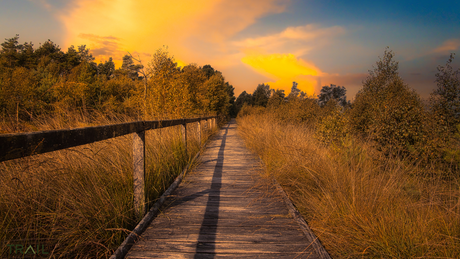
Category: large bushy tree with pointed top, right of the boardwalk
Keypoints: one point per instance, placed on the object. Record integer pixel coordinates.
(386, 110)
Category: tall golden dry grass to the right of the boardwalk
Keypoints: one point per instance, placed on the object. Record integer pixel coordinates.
(359, 204)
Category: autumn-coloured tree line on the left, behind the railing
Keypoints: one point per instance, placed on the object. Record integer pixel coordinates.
(45, 81)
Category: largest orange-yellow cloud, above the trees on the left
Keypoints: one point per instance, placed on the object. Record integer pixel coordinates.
(195, 31)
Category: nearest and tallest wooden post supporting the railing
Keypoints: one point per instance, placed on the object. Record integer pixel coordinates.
(139, 174)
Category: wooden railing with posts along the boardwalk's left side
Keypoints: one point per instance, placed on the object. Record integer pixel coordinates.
(13, 146)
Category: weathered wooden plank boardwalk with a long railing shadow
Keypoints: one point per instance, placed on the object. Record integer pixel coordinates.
(225, 209)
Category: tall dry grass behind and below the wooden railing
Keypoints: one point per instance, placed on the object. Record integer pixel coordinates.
(78, 202)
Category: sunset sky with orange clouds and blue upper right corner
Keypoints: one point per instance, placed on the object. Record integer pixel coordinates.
(276, 42)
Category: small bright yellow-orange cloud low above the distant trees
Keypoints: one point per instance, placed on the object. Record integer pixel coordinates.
(284, 69)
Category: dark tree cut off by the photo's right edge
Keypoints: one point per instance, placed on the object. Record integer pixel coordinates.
(445, 99)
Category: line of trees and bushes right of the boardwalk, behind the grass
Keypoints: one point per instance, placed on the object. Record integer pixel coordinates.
(386, 111)
